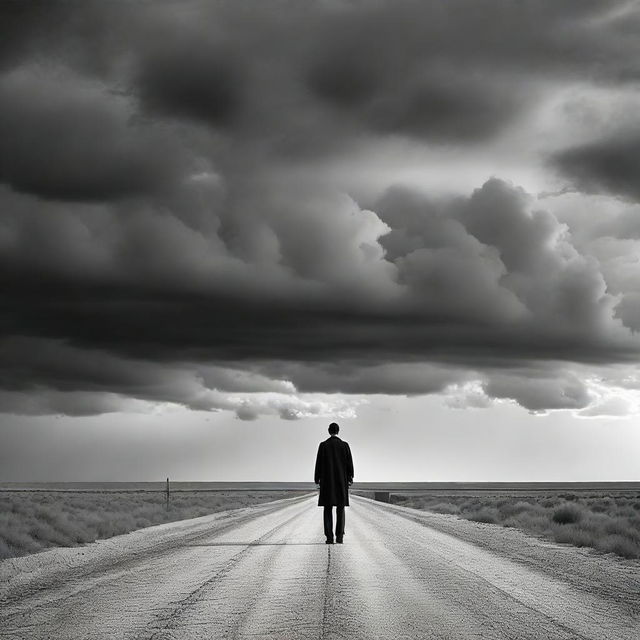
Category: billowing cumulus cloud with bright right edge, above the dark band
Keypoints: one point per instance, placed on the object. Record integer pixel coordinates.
(494, 257)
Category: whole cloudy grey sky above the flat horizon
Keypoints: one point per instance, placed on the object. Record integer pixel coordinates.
(224, 225)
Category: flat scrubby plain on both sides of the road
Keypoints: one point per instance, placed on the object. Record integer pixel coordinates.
(37, 516)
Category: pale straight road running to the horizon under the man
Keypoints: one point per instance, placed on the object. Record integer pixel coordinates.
(265, 572)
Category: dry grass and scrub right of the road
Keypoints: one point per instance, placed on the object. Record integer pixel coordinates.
(608, 523)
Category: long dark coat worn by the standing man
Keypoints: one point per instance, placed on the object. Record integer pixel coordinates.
(334, 471)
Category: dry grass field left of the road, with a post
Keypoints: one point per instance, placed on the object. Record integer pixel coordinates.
(33, 521)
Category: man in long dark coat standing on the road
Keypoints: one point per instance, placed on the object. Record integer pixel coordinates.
(334, 474)
